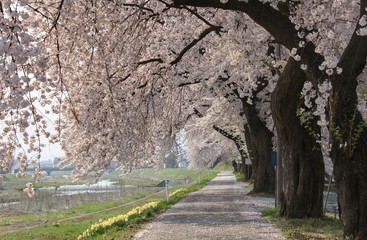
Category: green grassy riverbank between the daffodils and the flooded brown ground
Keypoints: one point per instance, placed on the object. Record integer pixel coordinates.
(70, 223)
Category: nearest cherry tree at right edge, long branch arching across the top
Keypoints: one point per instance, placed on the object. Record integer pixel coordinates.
(307, 41)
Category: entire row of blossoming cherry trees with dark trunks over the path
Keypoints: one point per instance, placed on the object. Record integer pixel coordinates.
(124, 76)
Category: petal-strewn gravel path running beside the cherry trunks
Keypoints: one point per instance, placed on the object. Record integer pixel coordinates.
(221, 210)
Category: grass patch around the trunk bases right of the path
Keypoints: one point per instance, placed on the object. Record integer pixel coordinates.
(326, 227)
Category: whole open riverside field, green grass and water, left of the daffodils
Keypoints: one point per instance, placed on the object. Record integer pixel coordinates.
(62, 209)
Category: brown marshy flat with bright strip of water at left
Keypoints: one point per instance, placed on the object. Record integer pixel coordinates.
(64, 196)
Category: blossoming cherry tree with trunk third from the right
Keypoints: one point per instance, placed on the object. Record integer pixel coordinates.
(242, 88)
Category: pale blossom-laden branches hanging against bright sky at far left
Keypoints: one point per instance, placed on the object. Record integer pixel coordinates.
(24, 85)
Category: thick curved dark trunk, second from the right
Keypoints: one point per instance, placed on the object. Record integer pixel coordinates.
(303, 166)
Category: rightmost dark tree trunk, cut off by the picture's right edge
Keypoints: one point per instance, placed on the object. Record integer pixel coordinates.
(349, 138)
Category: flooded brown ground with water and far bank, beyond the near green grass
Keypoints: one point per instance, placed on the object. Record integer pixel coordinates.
(58, 192)
